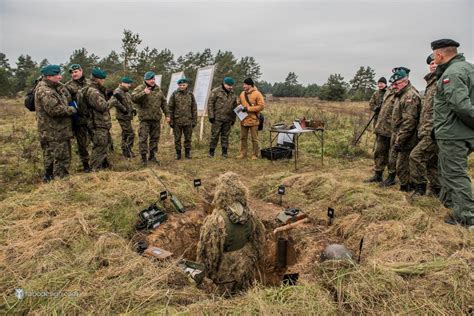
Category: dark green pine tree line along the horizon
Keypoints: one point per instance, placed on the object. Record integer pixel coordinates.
(134, 61)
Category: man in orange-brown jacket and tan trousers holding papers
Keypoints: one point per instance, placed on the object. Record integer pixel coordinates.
(253, 103)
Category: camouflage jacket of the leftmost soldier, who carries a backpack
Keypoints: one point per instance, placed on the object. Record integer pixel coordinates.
(52, 112)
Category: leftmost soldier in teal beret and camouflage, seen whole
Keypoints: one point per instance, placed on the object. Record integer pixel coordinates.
(54, 123)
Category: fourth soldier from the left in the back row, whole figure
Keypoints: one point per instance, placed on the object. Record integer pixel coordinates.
(122, 101)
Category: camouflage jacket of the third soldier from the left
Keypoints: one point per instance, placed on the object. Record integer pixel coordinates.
(99, 109)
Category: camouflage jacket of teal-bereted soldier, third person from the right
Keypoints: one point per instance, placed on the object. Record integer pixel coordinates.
(405, 117)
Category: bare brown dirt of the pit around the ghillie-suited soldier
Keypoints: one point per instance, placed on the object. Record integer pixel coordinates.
(180, 235)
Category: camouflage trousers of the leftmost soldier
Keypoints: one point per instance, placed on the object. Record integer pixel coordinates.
(56, 157)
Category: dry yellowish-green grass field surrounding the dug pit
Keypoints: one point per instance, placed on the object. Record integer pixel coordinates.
(76, 236)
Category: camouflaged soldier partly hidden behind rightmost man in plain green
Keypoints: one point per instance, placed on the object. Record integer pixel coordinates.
(424, 157)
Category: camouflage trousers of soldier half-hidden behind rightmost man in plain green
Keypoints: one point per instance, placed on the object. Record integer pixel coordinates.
(424, 163)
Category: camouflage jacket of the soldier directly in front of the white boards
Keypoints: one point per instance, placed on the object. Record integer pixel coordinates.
(183, 108)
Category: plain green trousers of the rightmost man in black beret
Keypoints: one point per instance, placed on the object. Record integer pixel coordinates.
(456, 190)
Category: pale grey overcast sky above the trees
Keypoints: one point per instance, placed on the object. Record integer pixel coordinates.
(311, 38)
